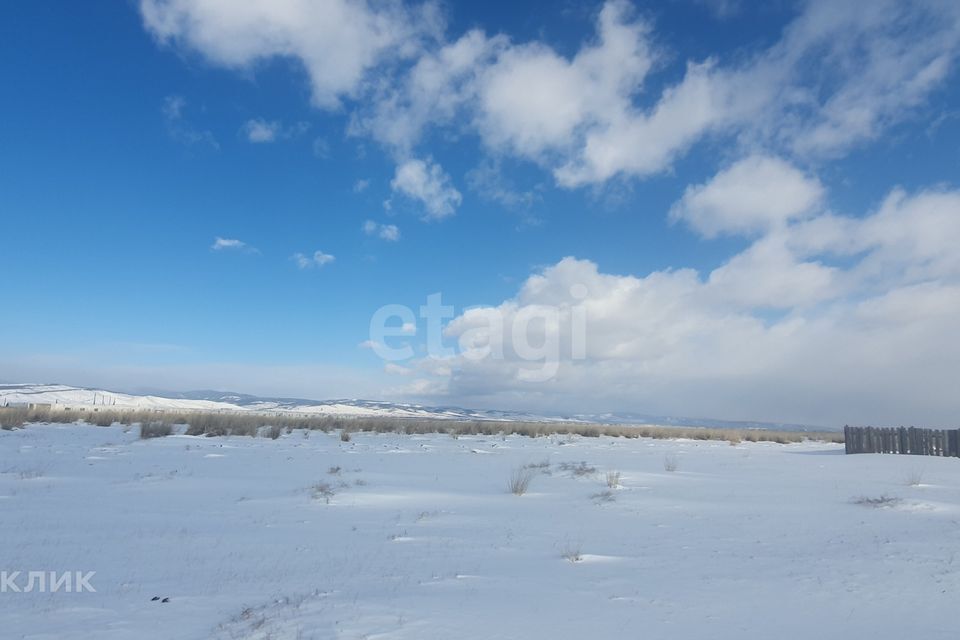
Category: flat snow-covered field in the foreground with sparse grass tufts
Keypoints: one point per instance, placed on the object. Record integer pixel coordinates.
(420, 538)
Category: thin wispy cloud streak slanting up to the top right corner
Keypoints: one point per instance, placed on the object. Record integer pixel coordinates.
(839, 76)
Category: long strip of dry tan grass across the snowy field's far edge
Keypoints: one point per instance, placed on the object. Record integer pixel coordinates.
(249, 424)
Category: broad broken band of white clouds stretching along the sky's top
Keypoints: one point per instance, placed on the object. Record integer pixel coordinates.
(841, 74)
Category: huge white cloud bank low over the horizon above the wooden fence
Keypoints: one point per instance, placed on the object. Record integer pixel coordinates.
(824, 320)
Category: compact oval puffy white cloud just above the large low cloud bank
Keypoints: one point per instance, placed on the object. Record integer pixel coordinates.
(756, 194)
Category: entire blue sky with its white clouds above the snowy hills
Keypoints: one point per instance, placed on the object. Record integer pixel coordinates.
(717, 173)
